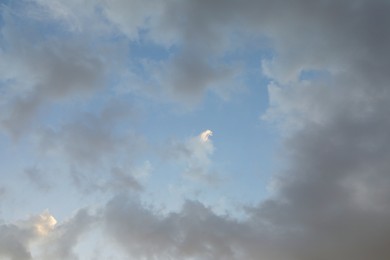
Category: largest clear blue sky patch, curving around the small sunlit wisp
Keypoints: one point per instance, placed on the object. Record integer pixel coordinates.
(244, 145)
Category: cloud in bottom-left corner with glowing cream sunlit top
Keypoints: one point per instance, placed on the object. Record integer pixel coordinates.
(42, 237)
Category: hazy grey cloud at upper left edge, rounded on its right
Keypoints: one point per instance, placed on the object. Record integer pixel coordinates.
(40, 73)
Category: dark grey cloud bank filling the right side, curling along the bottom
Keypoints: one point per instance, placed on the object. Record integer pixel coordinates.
(332, 196)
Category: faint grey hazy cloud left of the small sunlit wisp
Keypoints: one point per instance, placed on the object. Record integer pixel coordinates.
(89, 138)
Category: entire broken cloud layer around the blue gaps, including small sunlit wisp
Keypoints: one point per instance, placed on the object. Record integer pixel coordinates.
(328, 92)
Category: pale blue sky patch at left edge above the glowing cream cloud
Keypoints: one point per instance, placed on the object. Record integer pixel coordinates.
(23, 198)
